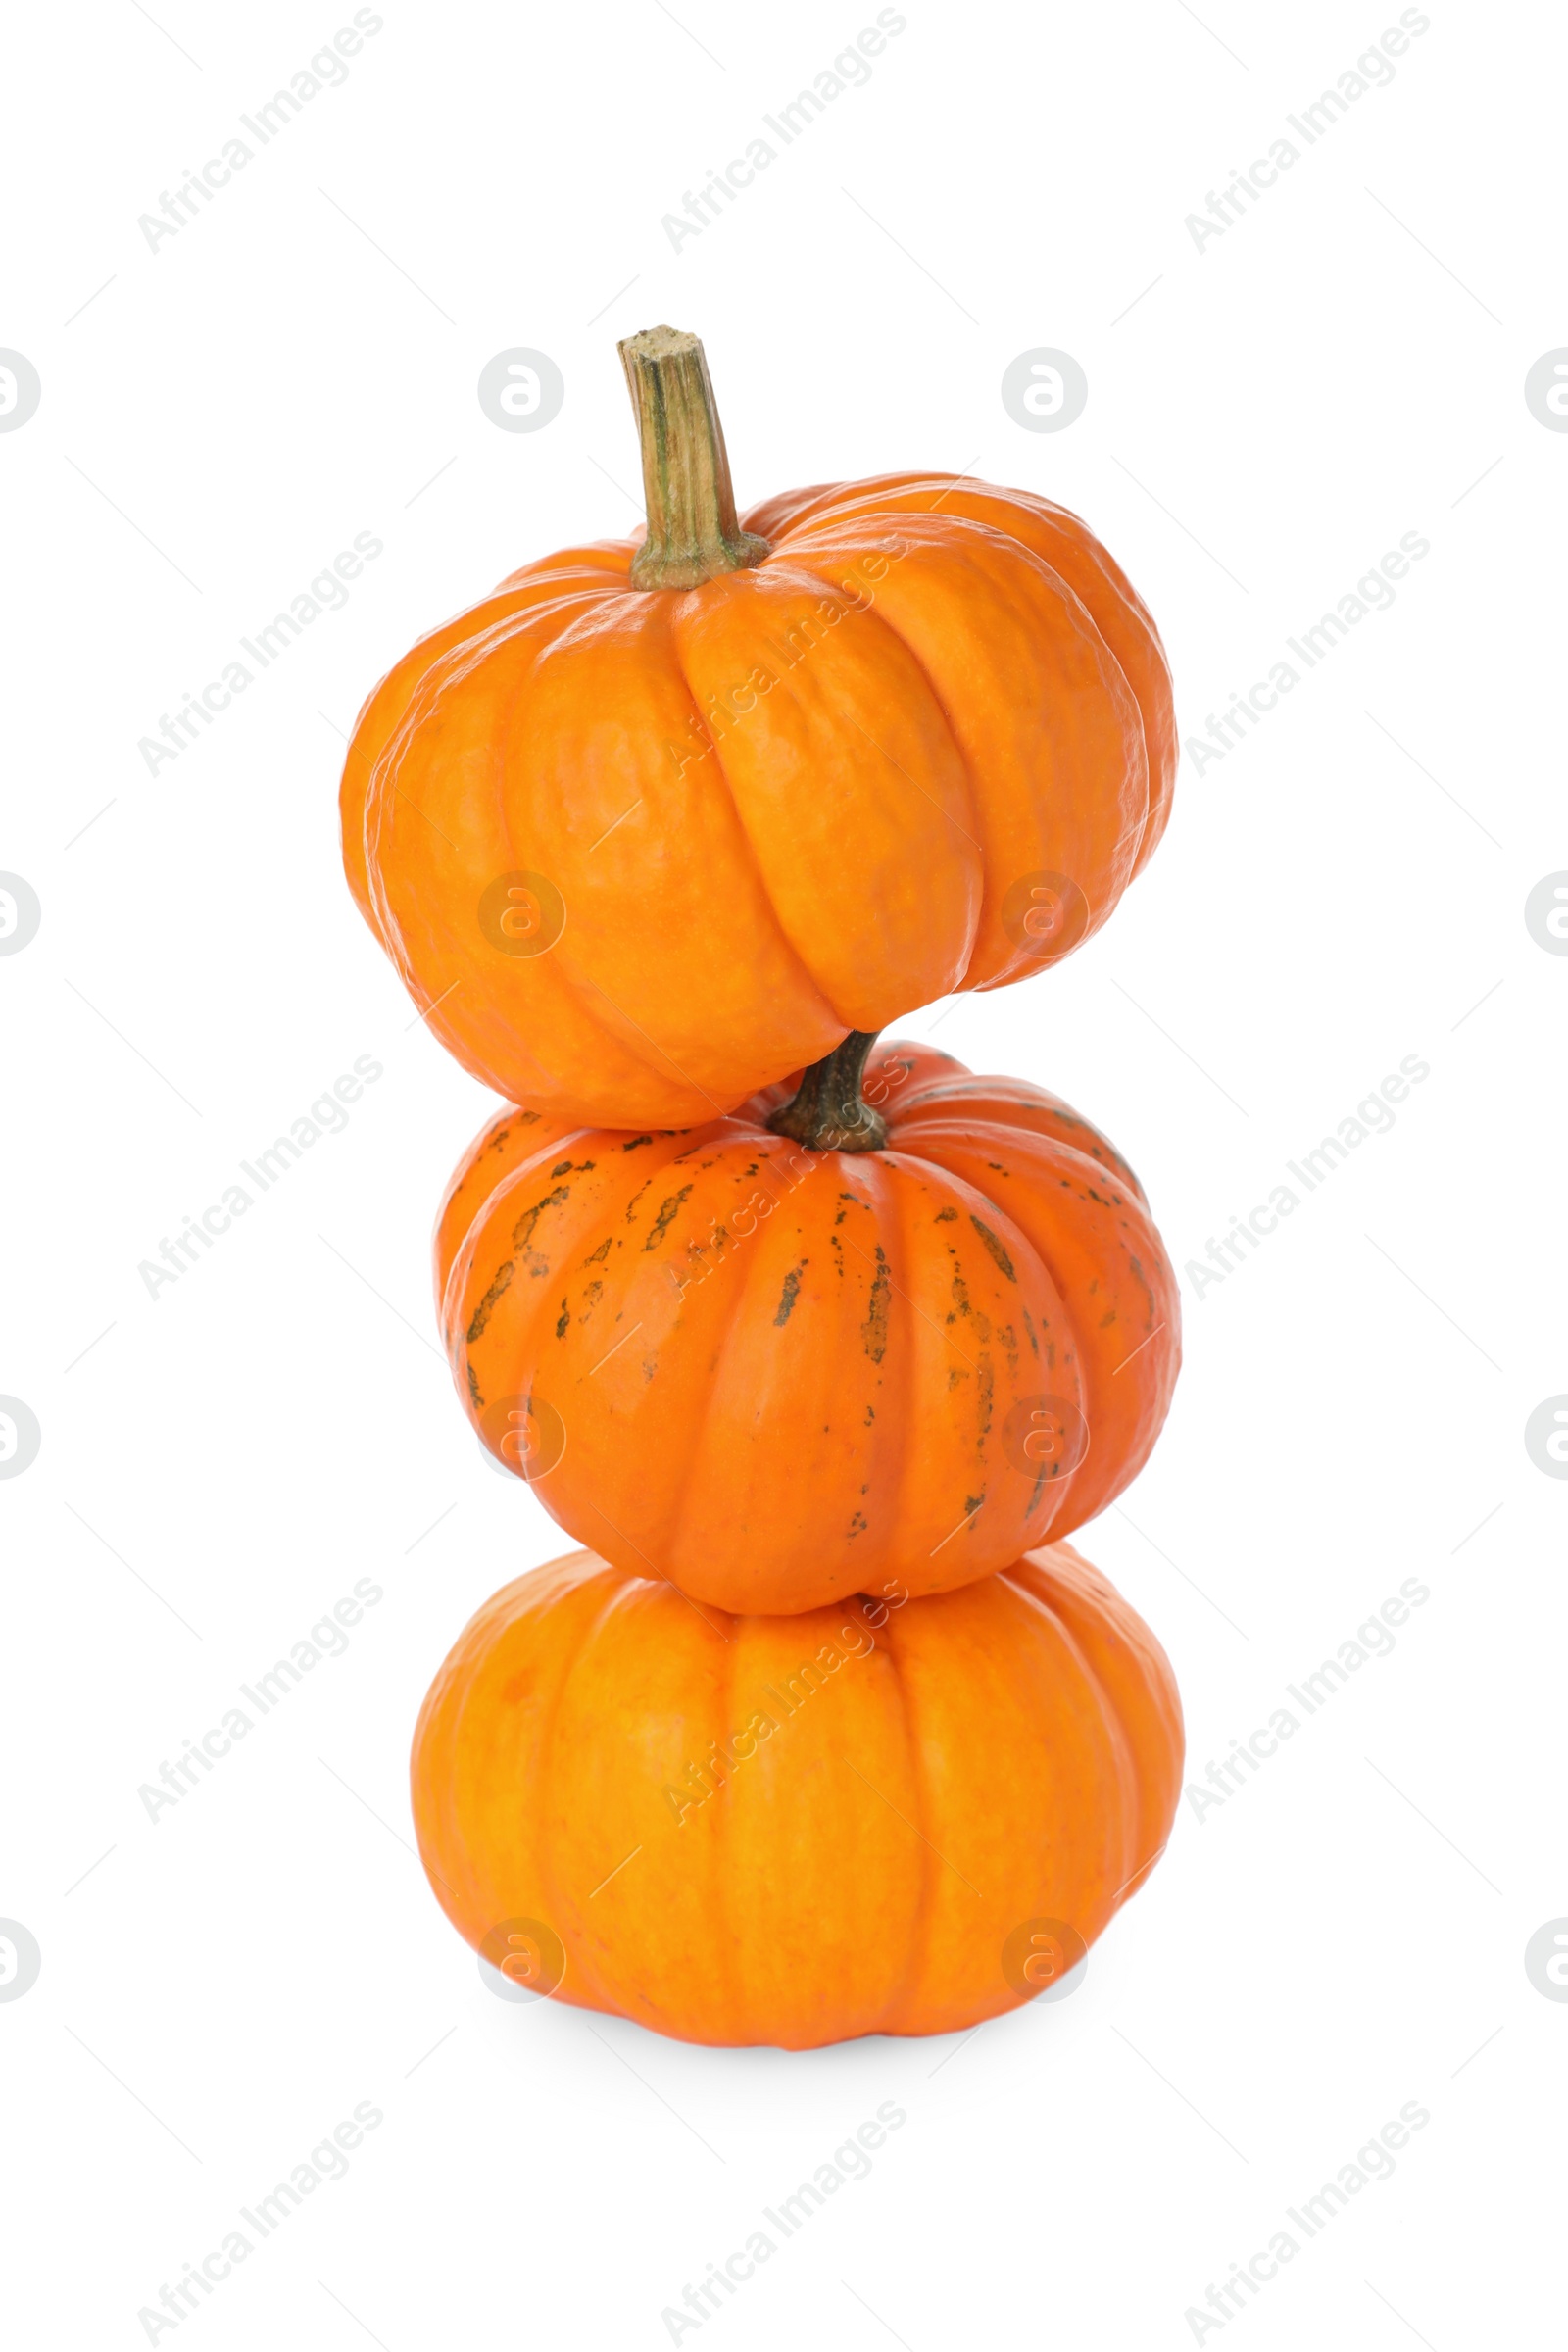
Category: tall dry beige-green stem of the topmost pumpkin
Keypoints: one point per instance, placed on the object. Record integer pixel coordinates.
(695, 533)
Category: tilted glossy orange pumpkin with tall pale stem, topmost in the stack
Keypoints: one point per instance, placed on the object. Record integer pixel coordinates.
(662, 822)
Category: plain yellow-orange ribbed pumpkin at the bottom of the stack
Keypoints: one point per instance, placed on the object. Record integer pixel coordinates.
(979, 1760)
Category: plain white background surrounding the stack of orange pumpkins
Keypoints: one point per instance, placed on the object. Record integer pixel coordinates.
(220, 1464)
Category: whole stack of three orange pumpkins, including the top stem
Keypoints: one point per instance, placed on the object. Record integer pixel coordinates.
(822, 1347)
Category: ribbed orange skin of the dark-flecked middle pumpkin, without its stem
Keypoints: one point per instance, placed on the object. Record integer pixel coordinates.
(784, 1377)
